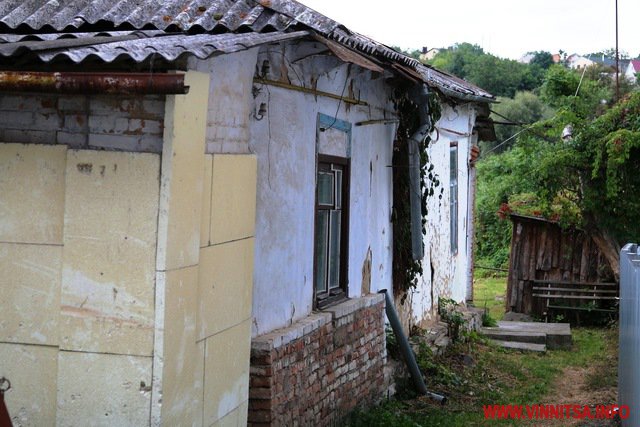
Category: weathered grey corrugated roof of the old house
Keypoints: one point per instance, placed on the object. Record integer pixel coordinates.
(79, 29)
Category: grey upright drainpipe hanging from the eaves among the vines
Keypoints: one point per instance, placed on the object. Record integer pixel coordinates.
(420, 96)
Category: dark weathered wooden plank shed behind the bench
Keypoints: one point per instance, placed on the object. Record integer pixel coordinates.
(541, 250)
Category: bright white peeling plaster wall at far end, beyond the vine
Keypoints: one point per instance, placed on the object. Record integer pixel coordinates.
(445, 273)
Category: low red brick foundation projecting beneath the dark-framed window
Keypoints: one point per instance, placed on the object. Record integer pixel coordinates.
(319, 369)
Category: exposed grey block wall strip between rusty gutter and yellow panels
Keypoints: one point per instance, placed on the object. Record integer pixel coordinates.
(133, 123)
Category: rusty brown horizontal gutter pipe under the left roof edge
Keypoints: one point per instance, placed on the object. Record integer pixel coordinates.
(93, 83)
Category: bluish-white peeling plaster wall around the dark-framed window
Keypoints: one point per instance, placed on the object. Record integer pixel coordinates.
(285, 143)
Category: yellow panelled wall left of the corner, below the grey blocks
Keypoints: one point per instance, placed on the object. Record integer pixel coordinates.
(77, 318)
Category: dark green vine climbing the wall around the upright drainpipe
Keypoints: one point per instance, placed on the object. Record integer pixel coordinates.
(406, 270)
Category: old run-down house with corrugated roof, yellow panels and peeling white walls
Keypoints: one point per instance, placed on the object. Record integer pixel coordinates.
(196, 210)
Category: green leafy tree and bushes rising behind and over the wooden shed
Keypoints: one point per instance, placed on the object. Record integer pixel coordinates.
(589, 181)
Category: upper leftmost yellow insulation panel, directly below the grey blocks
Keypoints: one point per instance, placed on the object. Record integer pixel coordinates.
(32, 189)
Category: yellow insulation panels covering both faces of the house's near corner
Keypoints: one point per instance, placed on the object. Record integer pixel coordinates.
(127, 279)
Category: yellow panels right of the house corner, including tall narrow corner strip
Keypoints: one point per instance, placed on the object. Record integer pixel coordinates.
(202, 343)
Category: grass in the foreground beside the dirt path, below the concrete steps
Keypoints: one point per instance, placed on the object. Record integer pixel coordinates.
(495, 376)
